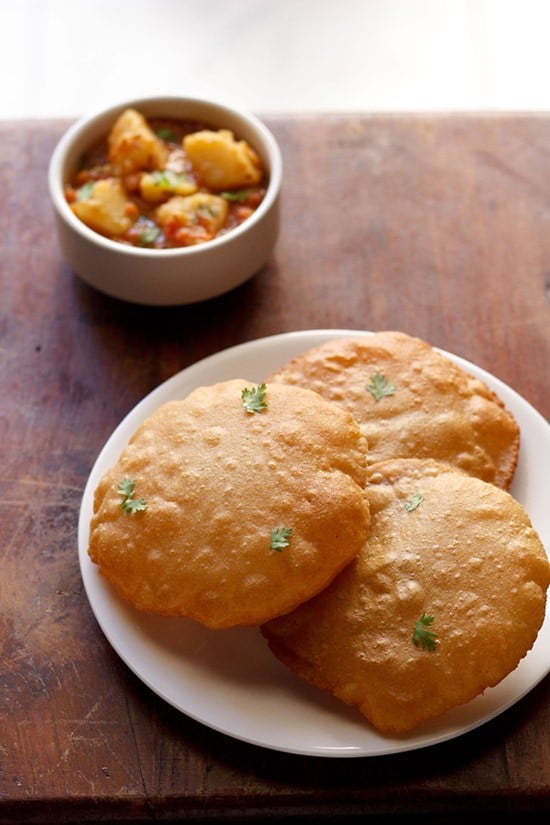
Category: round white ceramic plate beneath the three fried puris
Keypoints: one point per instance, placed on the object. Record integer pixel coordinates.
(228, 679)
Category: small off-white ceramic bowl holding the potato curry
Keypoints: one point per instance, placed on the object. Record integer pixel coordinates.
(165, 277)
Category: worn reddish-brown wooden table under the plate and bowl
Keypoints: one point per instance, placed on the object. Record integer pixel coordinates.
(435, 225)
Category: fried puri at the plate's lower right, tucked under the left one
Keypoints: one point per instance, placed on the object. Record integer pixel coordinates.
(445, 599)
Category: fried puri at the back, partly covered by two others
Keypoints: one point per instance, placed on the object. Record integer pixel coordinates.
(412, 401)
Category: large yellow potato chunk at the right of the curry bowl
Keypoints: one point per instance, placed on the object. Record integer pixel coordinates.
(221, 161)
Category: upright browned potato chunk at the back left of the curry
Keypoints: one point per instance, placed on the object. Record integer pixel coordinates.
(133, 146)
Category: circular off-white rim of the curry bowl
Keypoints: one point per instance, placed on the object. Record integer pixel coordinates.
(79, 128)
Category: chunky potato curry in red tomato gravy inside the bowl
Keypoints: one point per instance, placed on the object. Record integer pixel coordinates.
(163, 183)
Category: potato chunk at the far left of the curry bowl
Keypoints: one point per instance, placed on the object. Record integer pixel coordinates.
(105, 208)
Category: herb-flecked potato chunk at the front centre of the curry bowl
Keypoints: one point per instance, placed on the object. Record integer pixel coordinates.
(192, 219)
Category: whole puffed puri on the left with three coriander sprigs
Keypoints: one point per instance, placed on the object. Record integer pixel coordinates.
(245, 514)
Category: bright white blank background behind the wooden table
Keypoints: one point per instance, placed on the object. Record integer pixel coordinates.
(69, 57)
